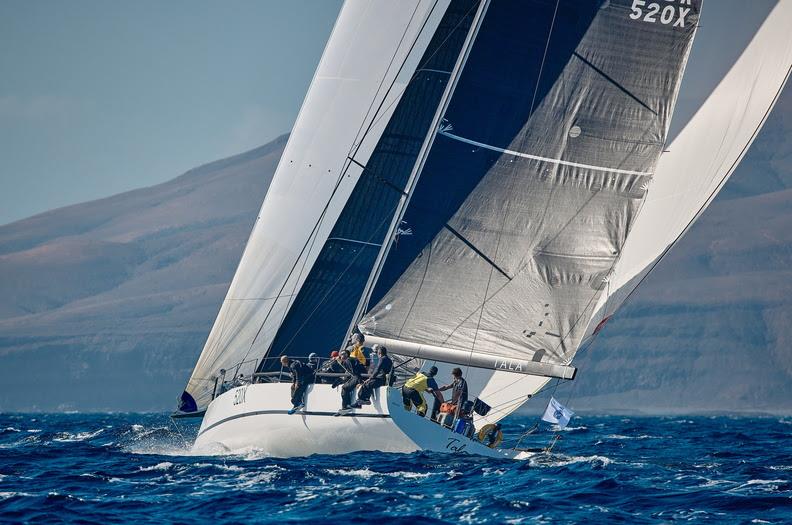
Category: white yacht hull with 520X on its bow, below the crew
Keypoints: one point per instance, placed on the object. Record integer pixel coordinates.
(254, 417)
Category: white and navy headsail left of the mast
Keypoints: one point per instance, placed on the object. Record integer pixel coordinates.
(363, 110)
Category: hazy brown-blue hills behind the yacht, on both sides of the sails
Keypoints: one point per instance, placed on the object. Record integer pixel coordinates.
(105, 305)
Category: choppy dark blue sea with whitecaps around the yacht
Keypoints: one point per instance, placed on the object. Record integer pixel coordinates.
(135, 468)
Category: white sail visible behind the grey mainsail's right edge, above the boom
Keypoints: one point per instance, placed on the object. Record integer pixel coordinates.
(738, 105)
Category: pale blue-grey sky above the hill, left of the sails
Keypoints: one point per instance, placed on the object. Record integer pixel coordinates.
(99, 97)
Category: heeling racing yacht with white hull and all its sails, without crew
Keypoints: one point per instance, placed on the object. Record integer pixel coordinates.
(481, 184)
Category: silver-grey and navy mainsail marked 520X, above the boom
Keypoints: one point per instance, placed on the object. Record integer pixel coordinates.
(538, 173)
